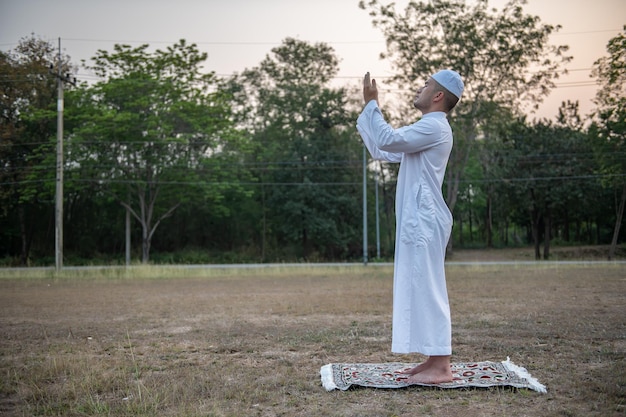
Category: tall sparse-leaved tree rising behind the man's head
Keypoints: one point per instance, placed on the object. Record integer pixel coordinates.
(504, 58)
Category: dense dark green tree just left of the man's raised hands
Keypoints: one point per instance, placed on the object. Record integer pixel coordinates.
(305, 149)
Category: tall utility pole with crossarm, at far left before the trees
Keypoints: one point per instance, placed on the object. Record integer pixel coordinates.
(58, 211)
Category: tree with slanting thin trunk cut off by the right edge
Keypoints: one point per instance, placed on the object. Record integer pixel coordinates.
(610, 126)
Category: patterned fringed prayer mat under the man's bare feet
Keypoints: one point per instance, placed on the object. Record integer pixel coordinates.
(387, 375)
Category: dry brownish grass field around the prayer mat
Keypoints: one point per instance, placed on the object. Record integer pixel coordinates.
(250, 342)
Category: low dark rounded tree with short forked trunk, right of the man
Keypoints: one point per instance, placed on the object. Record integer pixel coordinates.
(546, 172)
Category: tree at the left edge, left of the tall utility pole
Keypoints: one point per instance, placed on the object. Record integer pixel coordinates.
(27, 141)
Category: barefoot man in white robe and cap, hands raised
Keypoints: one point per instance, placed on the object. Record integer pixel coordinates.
(421, 312)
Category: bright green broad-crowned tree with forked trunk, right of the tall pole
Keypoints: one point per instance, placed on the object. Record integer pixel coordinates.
(145, 132)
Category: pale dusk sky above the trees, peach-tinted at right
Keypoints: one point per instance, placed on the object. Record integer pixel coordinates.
(238, 34)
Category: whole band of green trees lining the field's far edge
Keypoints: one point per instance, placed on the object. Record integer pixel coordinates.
(267, 166)
